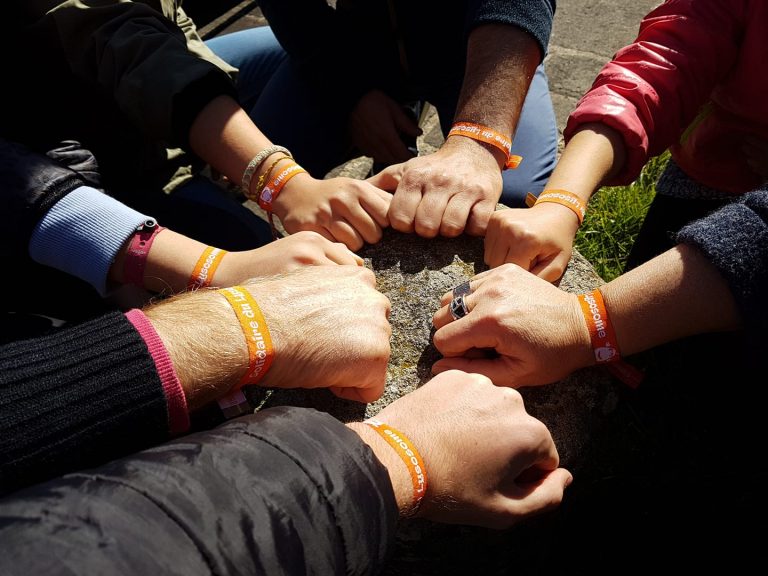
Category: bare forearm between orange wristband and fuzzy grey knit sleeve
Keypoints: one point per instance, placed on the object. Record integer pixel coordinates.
(675, 295)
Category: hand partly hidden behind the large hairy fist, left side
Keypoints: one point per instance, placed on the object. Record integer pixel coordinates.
(283, 255)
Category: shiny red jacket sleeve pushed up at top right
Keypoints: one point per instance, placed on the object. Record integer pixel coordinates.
(654, 88)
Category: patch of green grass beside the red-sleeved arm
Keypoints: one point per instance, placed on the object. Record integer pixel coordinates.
(614, 218)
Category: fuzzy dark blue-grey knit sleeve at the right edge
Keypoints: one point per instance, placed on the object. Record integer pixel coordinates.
(735, 239)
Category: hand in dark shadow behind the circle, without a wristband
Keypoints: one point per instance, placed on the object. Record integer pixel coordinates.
(376, 125)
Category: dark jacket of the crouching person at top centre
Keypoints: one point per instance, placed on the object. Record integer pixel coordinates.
(356, 48)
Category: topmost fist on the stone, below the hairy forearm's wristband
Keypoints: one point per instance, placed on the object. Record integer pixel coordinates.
(448, 192)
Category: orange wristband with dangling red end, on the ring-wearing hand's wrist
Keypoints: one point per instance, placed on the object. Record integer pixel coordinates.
(604, 343)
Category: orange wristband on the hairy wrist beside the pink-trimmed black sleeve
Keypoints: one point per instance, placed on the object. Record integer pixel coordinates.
(261, 352)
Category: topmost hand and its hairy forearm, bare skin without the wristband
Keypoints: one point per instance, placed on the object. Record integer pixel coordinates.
(455, 189)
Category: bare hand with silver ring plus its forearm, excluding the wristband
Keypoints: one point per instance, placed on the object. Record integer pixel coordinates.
(539, 334)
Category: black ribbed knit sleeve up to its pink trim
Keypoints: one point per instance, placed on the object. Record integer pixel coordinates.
(77, 397)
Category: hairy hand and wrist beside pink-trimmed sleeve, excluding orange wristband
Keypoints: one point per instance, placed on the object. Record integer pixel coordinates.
(329, 327)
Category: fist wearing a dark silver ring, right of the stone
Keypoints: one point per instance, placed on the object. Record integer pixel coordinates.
(536, 332)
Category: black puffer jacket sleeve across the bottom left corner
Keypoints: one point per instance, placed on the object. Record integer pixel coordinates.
(285, 491)
